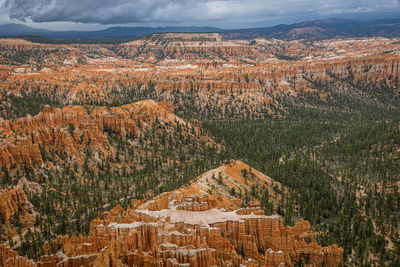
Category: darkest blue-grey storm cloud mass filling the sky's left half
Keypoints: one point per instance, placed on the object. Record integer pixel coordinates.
(86, 11)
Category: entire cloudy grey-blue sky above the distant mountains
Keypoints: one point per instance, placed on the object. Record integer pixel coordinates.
(99, 14)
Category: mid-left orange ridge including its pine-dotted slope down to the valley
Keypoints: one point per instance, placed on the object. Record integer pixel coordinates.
(92, 147)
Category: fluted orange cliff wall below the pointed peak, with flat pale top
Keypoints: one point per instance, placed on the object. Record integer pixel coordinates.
(137, 238)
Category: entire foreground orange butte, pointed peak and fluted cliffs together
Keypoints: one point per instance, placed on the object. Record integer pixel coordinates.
(190, 228)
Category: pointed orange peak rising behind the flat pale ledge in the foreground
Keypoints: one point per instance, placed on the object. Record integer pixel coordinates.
(213, 189)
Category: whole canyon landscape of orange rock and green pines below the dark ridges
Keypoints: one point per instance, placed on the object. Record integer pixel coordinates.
(88, 127)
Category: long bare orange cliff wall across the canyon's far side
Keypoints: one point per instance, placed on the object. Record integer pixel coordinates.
(96, 80)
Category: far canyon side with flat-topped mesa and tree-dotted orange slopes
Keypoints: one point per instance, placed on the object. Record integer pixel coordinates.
(201, 73)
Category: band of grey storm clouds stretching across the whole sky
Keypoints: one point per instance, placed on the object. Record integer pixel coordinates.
(176, 11)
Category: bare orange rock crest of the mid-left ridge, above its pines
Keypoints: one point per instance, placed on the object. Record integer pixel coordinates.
(70, 129)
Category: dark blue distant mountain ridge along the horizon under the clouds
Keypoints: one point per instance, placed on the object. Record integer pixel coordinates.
(320, 29)
